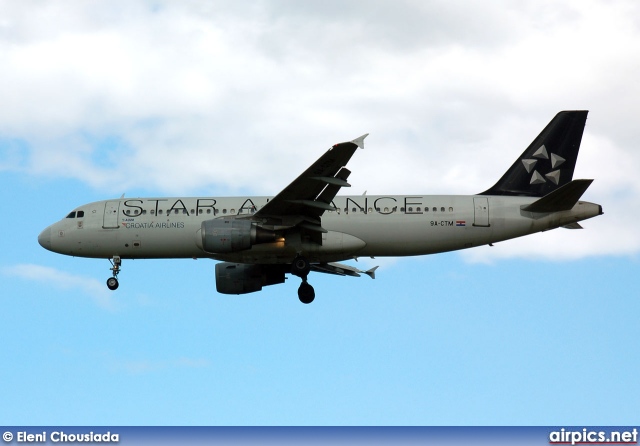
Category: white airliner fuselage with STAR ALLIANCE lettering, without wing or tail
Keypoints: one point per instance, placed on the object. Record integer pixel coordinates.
(382, 225)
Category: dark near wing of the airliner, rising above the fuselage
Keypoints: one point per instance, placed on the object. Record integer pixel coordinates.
(303, 202)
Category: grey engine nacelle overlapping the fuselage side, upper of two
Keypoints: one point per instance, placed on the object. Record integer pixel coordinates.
(230, 235)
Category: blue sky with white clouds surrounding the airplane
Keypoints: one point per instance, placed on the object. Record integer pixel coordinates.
(155, 98)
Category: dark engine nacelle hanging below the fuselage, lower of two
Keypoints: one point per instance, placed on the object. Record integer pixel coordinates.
(241, 278)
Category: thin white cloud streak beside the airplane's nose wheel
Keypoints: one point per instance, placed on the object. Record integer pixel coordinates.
(63, 281)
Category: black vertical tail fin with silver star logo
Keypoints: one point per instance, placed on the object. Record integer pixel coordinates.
(549, 161)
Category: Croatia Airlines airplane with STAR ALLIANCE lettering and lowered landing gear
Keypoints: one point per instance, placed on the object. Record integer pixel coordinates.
(309, 227)
